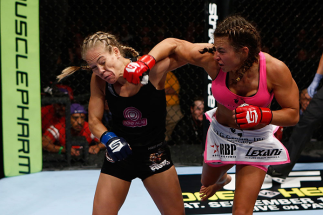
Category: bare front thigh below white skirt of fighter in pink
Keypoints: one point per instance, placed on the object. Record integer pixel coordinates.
(249, 180)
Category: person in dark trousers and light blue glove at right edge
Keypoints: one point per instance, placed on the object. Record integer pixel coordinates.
(303, 131)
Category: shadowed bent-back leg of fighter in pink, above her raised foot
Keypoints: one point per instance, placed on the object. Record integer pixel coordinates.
(211, 175)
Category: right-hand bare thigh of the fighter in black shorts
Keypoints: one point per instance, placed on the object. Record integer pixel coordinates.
(166, 192)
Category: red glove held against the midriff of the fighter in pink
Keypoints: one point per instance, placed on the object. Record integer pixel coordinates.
(248, 116)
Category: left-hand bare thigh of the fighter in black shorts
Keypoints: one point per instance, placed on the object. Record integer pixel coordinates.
(110, 194)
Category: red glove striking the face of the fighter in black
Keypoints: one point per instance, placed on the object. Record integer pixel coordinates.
(134, 70)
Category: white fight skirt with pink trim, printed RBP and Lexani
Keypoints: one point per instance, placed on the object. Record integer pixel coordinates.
(225, 145)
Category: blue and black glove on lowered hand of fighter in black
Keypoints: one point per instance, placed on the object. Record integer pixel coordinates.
(118, 148)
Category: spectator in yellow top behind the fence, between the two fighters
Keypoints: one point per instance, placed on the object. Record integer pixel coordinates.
(173, 108)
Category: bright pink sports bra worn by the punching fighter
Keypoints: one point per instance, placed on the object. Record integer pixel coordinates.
(231, 101)
